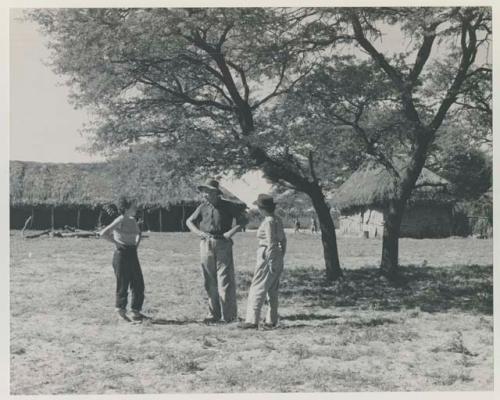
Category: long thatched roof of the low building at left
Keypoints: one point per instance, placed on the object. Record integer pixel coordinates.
(93, 184)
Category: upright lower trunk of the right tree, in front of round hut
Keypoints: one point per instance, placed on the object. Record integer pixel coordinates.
(390, 240)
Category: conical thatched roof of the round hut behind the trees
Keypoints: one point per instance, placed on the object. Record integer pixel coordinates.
(371, 186)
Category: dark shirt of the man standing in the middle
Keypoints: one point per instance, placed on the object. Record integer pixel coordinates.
(218, 219)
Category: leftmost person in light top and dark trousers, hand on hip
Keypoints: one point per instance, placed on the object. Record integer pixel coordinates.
(125, 234)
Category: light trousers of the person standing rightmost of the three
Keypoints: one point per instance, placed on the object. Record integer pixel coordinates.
(265, 283)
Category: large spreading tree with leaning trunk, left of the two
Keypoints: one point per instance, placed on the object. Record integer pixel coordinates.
(200, 81)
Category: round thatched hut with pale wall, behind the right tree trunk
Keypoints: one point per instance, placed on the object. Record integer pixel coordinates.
(363, 197)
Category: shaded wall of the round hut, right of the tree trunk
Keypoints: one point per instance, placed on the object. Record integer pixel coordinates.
(427, 222)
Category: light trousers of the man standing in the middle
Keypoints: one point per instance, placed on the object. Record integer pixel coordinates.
(218, 272)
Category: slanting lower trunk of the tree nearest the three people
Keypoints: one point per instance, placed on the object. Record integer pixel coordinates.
(328, 237)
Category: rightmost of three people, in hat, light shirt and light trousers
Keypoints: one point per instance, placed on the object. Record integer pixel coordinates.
(269, 266)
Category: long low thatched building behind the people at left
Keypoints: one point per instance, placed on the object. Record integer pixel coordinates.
(80, 194)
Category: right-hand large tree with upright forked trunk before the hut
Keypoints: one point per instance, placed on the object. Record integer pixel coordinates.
(439, 71)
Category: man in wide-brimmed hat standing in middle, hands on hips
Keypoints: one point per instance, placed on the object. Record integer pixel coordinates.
(212, 221)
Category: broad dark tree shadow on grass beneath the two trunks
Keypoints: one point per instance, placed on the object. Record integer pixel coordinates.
(466, 288)
